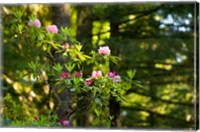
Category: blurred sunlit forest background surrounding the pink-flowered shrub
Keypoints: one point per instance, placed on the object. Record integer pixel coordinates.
(155, 39)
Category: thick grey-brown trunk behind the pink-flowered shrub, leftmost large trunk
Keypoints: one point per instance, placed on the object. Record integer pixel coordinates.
(60, 17)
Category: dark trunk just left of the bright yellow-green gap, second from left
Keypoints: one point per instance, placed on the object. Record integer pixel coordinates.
(84, 35)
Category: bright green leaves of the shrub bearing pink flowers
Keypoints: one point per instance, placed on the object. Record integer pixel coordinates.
(102, 86)
